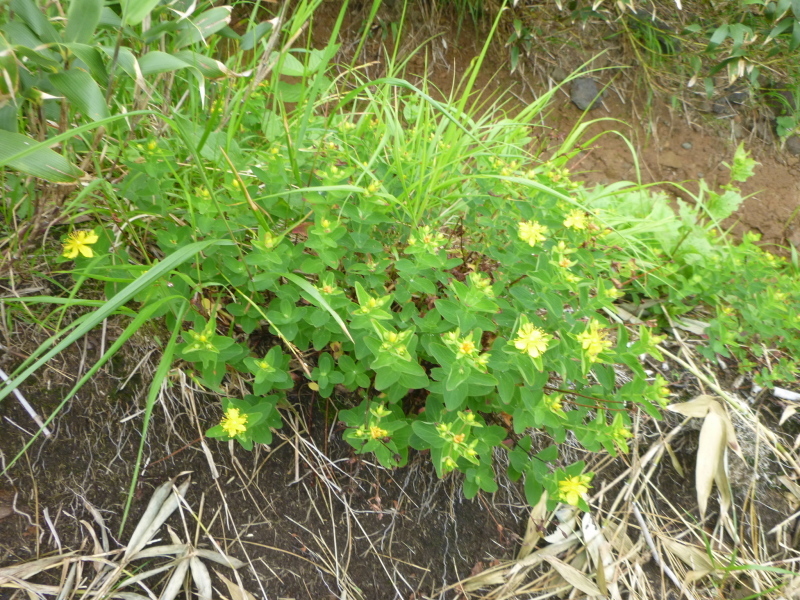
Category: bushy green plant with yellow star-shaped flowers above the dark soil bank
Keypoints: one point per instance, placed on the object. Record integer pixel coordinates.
(441, 311)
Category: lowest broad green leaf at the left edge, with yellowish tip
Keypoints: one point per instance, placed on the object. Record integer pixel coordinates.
(42, 162)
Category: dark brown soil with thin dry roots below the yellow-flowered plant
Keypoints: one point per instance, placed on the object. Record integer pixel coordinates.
(298, 518)
